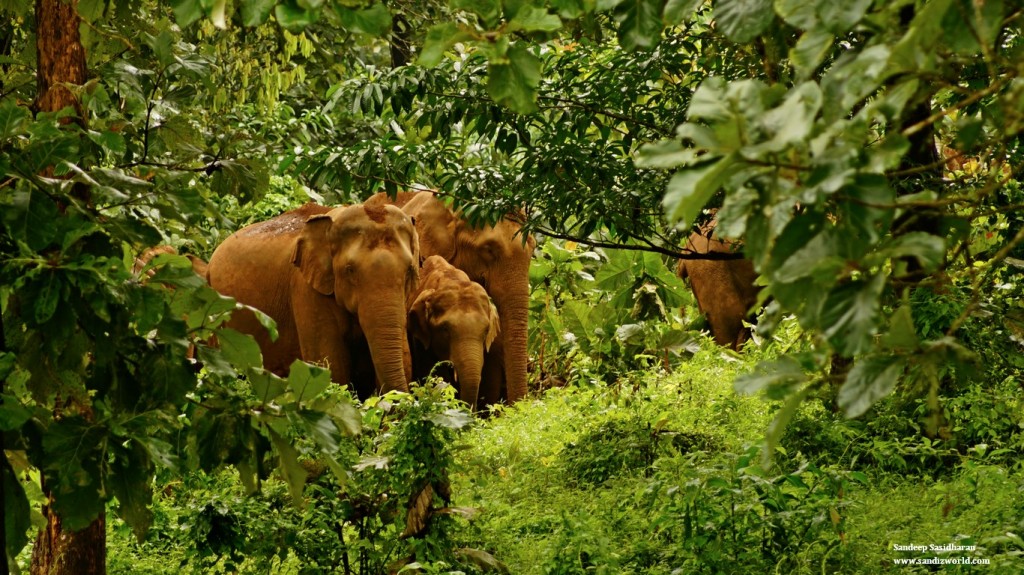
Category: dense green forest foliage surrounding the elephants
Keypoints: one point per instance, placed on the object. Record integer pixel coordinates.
(866, 152)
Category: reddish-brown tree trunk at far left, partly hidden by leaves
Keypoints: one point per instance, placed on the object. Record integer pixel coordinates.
(61, 62)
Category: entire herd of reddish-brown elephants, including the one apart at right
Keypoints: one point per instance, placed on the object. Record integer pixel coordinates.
(382, 291)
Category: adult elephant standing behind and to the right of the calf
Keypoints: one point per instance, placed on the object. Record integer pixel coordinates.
(494, 256)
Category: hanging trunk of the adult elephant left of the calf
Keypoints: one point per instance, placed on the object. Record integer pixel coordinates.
(385, 328)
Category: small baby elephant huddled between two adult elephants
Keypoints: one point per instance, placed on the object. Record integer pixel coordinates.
(453, 320)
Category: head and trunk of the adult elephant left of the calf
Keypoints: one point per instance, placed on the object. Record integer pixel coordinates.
(366, 258)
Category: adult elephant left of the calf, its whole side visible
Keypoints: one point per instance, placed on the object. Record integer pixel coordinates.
(335, 281)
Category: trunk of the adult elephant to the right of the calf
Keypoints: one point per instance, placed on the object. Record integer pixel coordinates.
(511, 297)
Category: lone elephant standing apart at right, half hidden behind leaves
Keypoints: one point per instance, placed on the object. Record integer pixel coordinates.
(726, 290)
